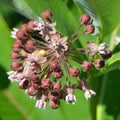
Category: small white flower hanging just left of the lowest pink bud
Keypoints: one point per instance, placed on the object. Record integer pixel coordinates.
(41, 103)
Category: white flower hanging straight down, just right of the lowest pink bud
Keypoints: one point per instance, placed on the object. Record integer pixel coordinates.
(70, 97)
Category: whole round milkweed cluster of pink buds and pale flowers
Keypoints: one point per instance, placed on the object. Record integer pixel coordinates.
(41, 57)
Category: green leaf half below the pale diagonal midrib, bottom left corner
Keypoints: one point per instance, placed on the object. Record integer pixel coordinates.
(10, 108)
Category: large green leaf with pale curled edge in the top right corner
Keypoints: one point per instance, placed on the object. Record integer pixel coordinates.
(105, 13)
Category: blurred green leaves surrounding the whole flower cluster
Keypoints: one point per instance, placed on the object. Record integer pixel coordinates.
(16, 105)
